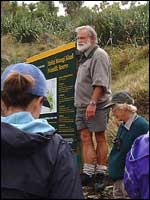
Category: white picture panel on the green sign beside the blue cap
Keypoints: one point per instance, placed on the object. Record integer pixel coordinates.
(51, 97)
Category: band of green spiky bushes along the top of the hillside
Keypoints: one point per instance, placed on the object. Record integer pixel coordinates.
(27, 23)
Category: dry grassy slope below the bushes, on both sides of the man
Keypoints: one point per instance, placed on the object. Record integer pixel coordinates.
(130, 69)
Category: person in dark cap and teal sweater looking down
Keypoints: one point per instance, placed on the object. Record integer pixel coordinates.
(132, 125)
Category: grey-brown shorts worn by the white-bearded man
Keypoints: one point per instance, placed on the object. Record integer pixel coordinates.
(96, 124)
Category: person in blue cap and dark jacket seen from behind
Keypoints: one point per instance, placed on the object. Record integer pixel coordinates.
(36, 162)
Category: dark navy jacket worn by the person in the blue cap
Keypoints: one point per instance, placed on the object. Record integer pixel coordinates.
(37, 166)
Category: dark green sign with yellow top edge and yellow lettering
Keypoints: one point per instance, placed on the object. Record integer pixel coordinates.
(59, 67)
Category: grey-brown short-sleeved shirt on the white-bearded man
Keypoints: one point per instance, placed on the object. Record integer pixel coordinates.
(95, 71)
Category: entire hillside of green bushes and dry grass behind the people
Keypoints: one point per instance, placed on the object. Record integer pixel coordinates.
(27, 30)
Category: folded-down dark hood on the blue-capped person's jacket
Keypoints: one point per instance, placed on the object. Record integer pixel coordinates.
(16, 141)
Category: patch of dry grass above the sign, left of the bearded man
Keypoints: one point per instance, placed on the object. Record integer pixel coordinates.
(18, 52)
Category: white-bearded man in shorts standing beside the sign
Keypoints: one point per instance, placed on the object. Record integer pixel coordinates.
(92, 92)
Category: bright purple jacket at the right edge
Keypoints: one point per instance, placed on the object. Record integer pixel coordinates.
(136, 177)
